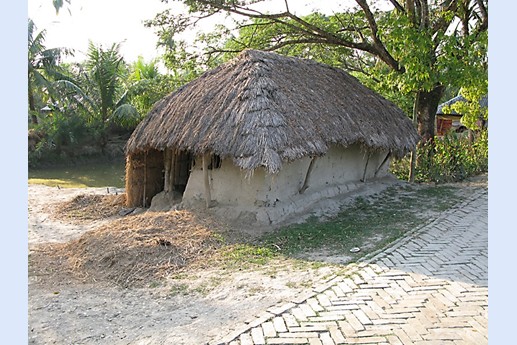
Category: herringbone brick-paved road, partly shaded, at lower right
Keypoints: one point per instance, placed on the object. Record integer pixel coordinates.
(431, 287)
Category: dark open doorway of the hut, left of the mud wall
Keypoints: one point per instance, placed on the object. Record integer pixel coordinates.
(178, 165)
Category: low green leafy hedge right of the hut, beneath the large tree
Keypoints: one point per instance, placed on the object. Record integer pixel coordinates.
(446, 159)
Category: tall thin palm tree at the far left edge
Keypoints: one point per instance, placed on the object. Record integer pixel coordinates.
(43, 69)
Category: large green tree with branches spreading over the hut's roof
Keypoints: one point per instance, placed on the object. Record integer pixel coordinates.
(418, 46)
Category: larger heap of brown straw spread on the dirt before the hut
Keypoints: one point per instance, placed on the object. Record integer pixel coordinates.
(129, 252)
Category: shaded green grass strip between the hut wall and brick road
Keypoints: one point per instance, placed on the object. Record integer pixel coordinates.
(368, 224)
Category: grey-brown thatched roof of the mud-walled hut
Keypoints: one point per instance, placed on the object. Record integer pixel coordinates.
(262, 109)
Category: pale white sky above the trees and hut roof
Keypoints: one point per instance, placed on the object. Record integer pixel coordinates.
(106, 22)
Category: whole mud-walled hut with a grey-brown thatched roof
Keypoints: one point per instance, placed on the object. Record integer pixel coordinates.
(264, 132)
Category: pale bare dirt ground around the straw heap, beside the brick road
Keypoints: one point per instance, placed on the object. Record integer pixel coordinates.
(192, 307)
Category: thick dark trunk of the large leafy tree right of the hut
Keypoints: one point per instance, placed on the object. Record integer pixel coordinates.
(426, 104)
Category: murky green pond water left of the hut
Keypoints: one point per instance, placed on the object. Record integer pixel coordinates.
(109, 174)
